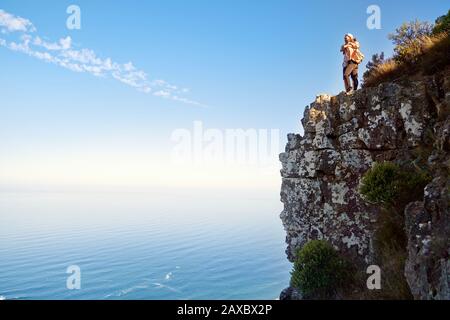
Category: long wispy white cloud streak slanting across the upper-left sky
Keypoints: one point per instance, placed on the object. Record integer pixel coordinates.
(62, 53)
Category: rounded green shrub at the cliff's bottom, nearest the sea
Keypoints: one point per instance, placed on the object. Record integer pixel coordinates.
(319, 270)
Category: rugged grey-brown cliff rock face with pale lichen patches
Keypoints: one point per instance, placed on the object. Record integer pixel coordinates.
(343, 137)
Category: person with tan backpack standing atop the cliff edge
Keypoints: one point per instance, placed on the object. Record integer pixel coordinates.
(352, 58)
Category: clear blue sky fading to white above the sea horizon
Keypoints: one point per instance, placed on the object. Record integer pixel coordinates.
(254, 64)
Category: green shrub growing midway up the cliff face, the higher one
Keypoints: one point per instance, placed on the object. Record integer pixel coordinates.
(387, 183)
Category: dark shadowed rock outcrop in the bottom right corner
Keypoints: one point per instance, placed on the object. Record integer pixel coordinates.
(427, 268)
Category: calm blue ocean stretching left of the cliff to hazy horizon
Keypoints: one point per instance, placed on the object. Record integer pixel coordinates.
(142, 245)
